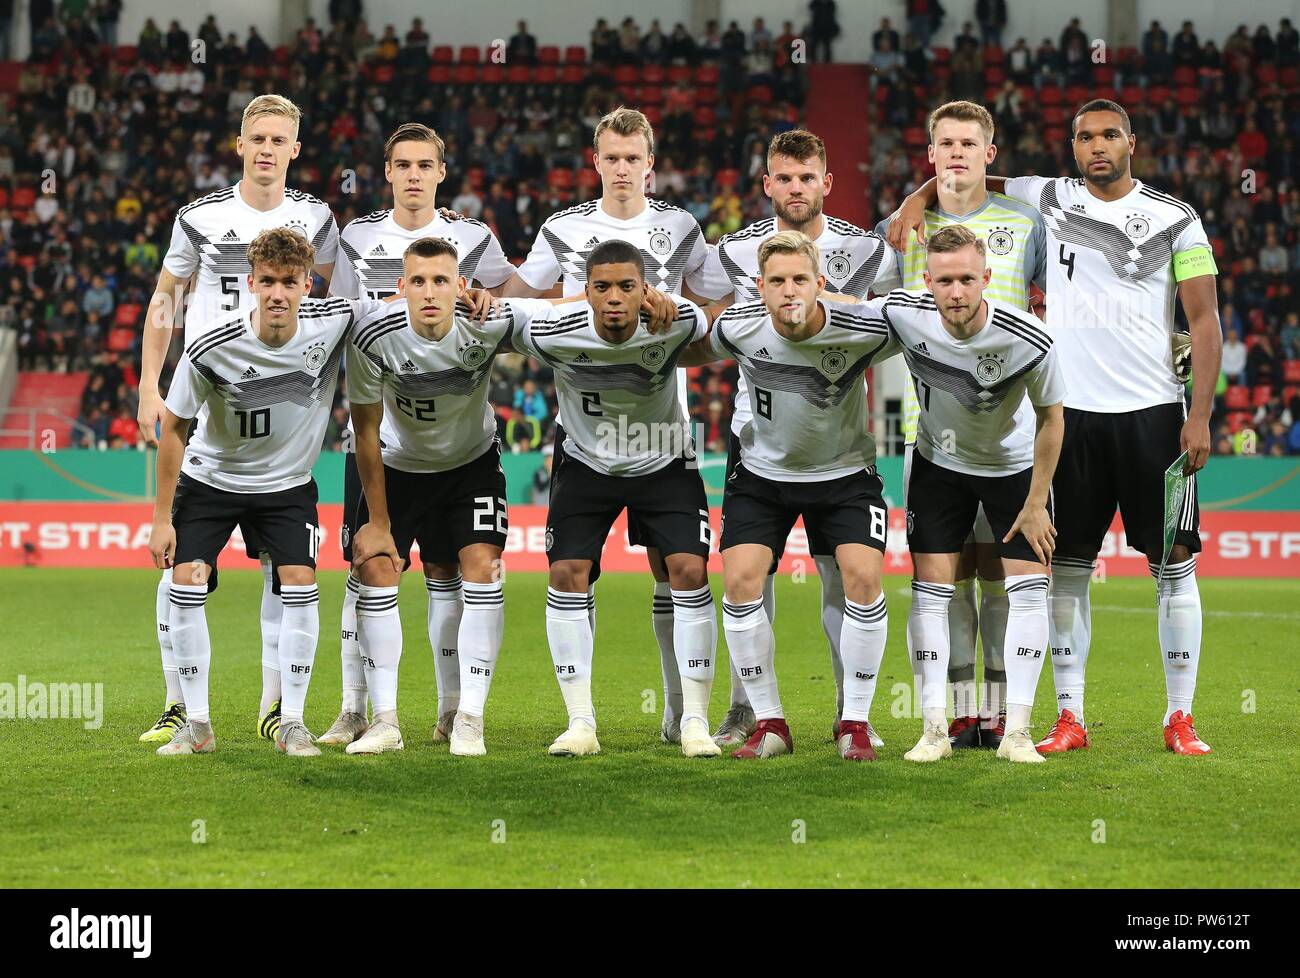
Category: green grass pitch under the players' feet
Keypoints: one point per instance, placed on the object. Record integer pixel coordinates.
(93, 808)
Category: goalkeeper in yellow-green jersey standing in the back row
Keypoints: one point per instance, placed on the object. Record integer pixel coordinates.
(961, 149)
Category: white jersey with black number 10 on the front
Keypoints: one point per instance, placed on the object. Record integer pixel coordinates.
(262, 410)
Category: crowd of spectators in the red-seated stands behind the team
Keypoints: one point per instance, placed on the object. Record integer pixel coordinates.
(102, 145)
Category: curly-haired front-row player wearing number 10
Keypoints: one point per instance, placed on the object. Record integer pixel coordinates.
(261, 383)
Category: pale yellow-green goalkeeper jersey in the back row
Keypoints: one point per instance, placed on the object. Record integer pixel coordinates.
(1015, 248)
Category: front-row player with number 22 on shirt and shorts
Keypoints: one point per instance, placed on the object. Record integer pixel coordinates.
(428, 470)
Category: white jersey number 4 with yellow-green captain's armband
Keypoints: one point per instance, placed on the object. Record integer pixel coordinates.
(1113, 270)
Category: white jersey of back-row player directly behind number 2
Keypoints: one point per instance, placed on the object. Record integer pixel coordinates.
(670, 241)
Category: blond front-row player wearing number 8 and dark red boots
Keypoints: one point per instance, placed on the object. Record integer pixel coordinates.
(805, 453)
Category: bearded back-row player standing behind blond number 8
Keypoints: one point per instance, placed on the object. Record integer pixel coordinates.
(852, 261)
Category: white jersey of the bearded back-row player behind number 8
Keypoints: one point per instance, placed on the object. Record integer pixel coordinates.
(853, 262)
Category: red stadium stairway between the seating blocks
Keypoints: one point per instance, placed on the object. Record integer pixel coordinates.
(839, 110)
